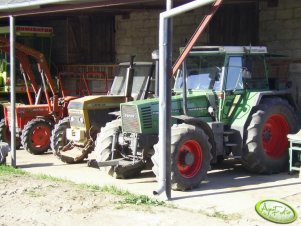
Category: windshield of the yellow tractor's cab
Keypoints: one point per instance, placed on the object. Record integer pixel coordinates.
(140, 80)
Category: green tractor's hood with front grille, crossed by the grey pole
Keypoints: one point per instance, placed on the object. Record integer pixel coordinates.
(143, 116)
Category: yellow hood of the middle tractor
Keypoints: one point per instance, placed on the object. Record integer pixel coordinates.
(96, 102)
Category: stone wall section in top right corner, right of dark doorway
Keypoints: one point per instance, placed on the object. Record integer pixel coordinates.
(280, 27)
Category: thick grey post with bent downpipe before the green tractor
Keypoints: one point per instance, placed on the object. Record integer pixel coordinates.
(164, 90)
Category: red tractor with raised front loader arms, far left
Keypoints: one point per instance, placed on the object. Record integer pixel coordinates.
(35, 121)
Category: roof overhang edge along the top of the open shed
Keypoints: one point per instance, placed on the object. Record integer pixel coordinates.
(35, 7)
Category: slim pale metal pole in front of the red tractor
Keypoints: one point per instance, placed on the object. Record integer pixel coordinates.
(13, 91)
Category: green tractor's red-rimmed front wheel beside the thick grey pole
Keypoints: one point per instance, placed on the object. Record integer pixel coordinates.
(190, 157)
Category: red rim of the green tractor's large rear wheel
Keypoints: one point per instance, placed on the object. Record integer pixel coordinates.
(274, 136)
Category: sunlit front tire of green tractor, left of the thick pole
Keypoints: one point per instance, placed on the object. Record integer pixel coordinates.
(103, 152)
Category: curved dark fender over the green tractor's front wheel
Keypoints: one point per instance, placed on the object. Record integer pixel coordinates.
(202, 124)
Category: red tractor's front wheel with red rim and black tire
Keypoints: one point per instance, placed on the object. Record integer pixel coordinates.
(35, 136)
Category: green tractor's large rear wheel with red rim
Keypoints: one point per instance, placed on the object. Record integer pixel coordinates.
(266, 146)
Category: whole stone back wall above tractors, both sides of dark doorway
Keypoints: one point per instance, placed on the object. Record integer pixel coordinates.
(279, 30)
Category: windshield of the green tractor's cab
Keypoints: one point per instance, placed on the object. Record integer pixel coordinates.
(203, 72)
